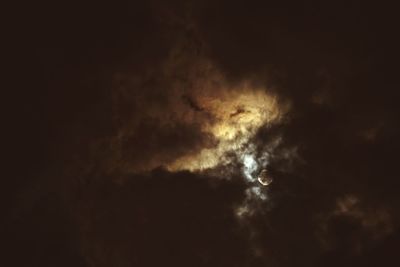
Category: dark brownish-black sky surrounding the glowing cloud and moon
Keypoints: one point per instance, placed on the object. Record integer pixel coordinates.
(68, 200)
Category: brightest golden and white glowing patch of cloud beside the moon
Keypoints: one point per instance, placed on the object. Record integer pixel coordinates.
(236, 117)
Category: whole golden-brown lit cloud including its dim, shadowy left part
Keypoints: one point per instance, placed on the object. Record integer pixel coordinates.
(209, 122)
